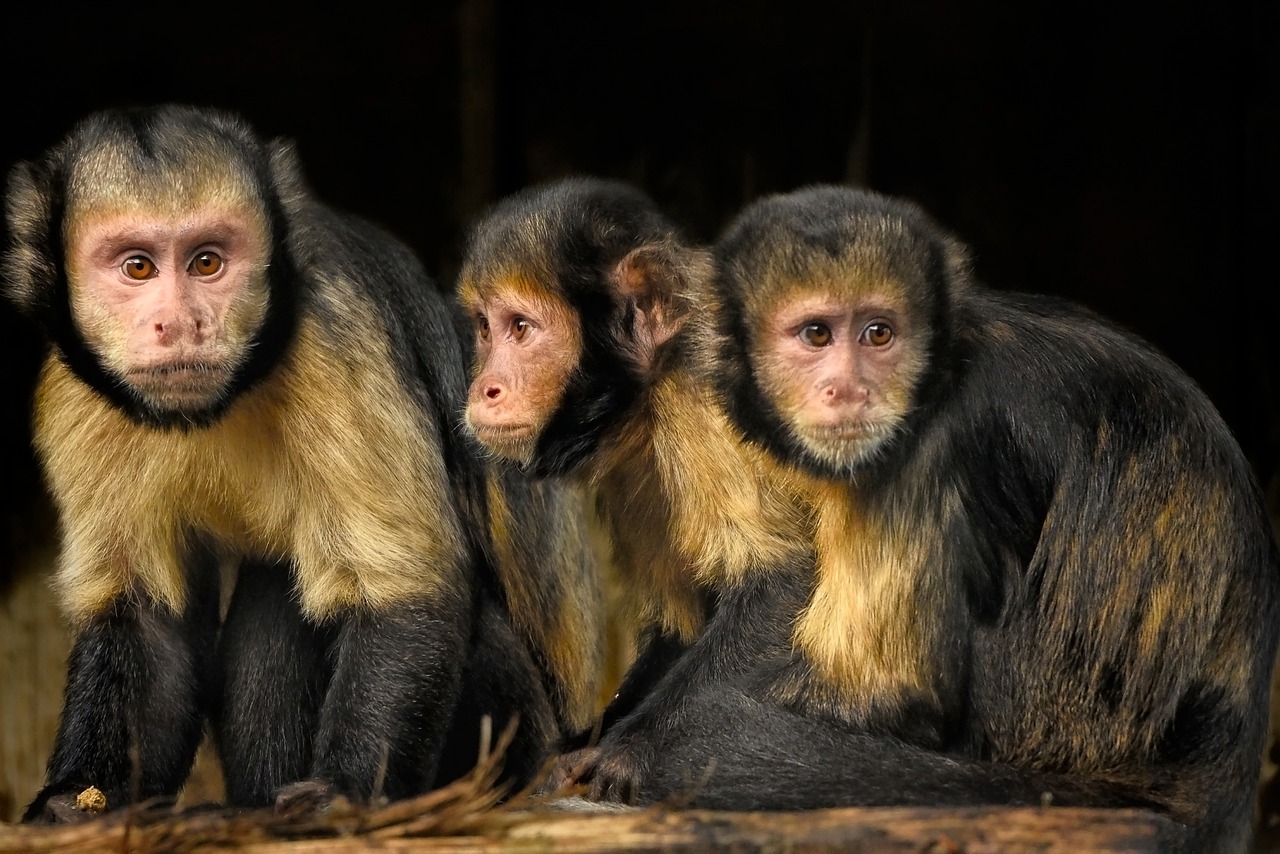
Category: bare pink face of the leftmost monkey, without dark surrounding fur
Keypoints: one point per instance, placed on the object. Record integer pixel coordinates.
(170, 303)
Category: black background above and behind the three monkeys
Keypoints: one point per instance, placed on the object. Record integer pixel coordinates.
(1122, 154)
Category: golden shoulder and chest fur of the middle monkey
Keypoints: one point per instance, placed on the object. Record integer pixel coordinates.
(689, 506)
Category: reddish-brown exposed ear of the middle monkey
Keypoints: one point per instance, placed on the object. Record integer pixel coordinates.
(657, 281)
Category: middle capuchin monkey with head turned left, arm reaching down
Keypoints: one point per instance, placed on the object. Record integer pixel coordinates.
(580, 293)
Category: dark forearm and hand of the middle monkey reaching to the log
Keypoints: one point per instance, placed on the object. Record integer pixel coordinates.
(751, 623)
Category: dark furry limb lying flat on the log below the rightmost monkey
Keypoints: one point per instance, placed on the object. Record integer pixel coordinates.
(733, 752)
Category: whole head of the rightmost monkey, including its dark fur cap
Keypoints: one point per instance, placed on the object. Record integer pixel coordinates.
(831, 310)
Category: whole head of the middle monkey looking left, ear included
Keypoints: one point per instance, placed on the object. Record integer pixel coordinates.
(577, 287)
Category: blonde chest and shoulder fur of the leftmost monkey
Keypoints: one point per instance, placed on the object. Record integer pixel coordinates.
(326, 462)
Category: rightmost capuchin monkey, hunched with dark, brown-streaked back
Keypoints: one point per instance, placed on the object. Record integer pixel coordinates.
(1045, 570)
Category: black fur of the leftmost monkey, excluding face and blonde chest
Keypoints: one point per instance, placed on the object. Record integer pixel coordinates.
(386, 702)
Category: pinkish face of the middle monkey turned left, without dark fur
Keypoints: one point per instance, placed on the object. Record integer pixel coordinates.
(528, 346)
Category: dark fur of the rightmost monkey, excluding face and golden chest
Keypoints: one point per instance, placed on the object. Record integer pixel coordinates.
(1066, 440)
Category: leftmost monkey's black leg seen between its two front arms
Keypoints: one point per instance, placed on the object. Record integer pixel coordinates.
(275, 672)
